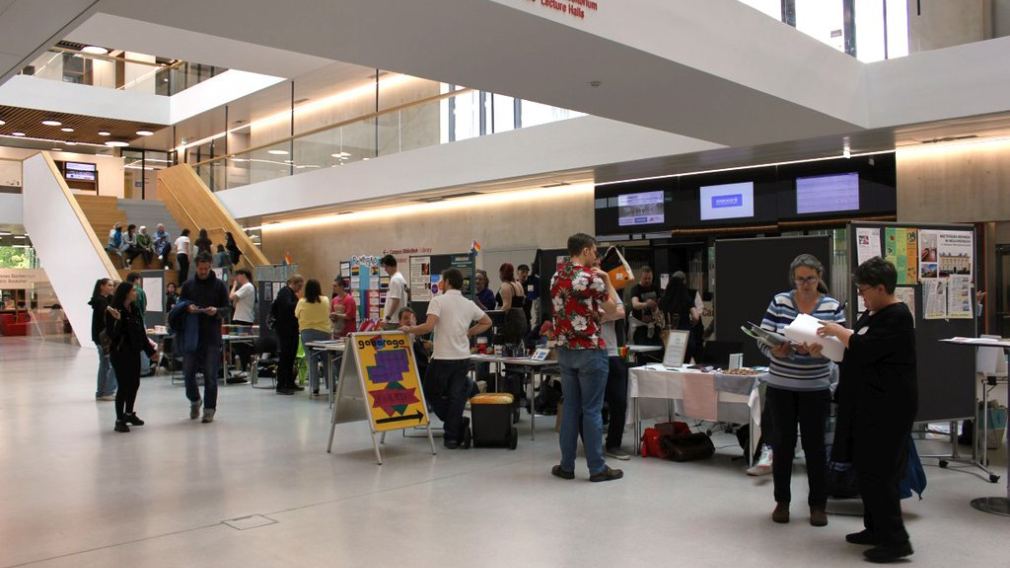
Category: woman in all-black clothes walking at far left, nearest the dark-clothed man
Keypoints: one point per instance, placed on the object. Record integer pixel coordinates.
(125, 326)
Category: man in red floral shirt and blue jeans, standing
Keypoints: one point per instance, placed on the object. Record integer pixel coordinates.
(580, 294)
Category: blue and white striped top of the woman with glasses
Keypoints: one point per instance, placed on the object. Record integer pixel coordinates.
(799, 372)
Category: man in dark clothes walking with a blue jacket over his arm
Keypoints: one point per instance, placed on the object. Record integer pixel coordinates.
(210, 304)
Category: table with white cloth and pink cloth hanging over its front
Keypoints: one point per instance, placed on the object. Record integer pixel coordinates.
(656, 392)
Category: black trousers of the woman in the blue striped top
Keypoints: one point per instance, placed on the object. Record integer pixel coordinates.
(810, 410)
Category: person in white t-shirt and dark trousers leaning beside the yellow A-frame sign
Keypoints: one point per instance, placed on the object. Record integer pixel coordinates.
(452, 318)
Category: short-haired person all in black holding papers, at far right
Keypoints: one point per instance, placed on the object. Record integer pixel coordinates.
(878, 401)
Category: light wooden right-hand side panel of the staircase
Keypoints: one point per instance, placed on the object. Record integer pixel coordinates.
(194, 207)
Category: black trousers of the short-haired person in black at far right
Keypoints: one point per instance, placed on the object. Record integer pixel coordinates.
(880, 455)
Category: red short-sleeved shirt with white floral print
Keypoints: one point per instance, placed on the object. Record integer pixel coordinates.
(576, 295)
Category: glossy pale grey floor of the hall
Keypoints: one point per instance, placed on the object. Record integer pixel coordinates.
(75, 494)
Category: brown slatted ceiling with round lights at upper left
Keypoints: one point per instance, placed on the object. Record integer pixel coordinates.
(86, 129)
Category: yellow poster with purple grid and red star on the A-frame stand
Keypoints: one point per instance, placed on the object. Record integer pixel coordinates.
(389, 374)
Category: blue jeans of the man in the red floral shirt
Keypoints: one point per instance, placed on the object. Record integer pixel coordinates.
(584, 383)
